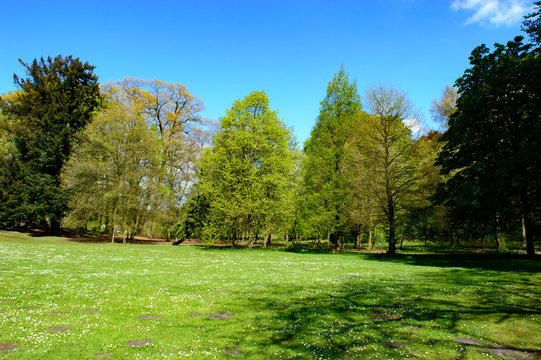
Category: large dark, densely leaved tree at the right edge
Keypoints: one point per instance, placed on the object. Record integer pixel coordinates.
(491, 150)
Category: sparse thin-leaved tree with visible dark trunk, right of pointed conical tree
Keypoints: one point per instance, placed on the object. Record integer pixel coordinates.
(386, 152)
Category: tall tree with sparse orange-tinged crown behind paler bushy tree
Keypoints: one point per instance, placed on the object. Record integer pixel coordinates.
(174, 114)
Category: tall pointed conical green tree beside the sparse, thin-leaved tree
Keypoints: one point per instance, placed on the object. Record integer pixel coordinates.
(326, 156)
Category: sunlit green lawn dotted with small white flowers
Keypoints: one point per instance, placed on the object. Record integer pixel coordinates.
(285, 305)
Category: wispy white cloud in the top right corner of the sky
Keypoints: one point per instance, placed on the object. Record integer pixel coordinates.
(494, 12)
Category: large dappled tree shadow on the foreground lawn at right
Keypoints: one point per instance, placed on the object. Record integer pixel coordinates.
(357, 318)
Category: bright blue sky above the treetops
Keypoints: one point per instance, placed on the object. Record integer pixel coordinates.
(290, 49)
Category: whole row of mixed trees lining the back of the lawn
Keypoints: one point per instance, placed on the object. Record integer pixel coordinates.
(136, 155)
